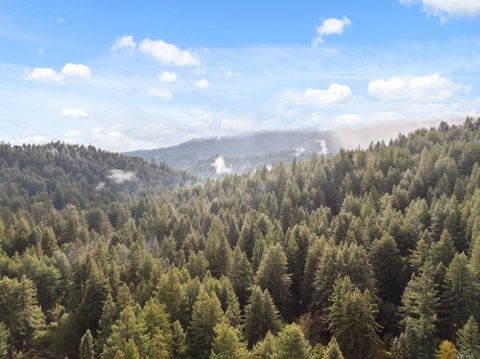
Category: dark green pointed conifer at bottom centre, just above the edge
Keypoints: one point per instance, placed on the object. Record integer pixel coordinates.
(261, 316)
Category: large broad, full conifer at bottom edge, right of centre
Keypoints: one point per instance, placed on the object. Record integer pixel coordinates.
(351, 319)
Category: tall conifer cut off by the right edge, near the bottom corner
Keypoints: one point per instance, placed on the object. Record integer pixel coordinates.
(461, 295)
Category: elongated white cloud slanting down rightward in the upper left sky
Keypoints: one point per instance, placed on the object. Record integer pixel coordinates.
(168, 54)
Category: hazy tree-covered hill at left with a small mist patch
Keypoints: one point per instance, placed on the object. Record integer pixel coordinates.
(70, 174)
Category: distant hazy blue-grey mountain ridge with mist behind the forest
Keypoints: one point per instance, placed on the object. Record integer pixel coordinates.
(211, 157)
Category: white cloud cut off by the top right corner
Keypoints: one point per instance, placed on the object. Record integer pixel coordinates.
(448, 8)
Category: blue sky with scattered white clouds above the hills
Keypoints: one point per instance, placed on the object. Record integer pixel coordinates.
(128, 75)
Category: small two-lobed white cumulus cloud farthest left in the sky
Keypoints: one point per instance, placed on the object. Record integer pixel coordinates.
(49, 75)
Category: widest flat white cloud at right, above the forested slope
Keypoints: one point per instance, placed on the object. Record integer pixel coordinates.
(422, 88)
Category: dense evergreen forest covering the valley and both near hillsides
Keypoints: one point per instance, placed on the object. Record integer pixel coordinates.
(369, 253)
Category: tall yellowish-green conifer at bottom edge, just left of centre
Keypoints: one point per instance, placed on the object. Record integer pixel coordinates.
(207, 312)
